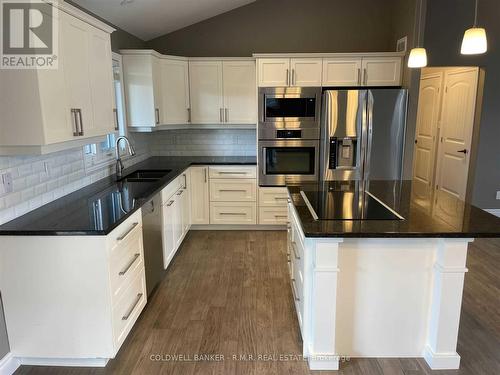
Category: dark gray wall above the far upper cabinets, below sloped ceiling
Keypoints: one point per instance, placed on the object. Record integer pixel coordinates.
(287, 26)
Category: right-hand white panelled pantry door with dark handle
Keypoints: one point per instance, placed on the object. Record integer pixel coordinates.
(459, 105)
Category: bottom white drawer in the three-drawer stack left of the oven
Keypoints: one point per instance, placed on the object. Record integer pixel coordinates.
(233, 213)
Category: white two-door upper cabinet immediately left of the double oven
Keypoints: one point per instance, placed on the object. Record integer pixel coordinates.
(222, 91)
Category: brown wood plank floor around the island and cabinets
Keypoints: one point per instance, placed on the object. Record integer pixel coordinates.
(227, 293)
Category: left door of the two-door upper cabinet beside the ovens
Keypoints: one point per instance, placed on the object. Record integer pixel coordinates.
(205, 85)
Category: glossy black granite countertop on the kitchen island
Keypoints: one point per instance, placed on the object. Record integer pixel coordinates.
(448, 217)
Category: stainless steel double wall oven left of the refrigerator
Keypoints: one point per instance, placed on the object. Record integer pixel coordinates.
(289, 133)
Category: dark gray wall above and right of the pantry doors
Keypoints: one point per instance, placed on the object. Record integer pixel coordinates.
(444, 31)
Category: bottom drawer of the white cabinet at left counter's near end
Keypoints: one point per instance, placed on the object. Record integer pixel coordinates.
(128, 308)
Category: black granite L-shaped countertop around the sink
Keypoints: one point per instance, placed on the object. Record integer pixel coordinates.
(99, 208)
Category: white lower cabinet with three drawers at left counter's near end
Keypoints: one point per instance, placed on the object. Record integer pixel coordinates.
(73, 298)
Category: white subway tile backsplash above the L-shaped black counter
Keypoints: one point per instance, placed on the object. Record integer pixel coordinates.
(38, 180)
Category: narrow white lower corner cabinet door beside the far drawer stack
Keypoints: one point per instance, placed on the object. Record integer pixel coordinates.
(200, 200)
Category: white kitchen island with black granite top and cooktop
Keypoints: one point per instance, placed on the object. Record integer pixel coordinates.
(375, 274)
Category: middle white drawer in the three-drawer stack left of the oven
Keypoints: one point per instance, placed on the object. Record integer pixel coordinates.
(235, 190)
